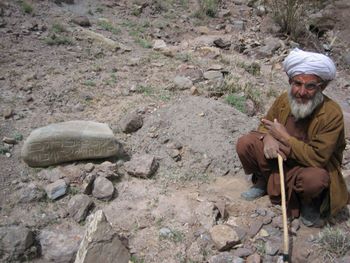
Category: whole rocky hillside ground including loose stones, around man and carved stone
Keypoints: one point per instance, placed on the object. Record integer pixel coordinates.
(165, 78)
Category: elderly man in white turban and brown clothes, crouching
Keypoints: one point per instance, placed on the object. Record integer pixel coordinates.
(307, 129)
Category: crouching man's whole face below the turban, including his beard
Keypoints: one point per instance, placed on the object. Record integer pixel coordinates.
(305, 94)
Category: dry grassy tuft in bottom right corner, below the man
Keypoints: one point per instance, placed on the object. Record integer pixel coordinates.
(333, 242)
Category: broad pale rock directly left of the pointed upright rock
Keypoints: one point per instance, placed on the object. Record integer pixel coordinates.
(60, 244)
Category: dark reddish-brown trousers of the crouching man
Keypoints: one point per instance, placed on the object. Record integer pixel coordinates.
(302, 183)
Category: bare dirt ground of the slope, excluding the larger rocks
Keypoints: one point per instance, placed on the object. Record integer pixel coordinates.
(85, 79)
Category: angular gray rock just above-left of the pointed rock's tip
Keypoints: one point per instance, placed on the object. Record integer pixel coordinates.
(79, 206)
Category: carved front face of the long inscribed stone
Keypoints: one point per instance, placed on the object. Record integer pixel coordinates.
(71, 149)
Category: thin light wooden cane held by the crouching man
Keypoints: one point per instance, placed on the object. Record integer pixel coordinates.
(284, 211)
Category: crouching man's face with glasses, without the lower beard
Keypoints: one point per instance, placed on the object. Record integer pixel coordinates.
(304, 87)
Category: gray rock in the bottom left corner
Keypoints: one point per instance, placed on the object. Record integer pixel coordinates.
(14, 241)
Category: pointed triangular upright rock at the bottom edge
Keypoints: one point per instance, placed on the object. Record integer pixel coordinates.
(101, 243)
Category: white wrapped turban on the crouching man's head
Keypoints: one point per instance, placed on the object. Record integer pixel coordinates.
(302, 62)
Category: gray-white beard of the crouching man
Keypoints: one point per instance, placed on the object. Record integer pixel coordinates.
(300, 110)
